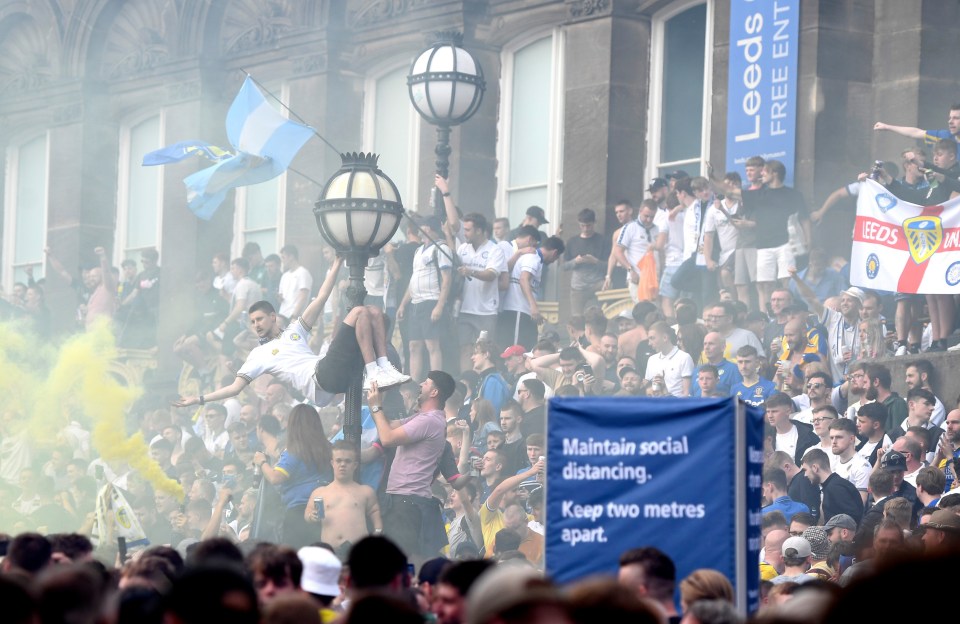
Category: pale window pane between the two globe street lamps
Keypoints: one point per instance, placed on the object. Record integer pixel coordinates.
(391, 130)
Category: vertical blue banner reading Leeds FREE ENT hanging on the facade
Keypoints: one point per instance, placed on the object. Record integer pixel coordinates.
(762, 82)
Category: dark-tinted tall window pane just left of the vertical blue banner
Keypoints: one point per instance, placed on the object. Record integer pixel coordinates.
(682, 105)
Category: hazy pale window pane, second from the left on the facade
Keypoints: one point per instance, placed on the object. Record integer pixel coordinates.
(143, 193)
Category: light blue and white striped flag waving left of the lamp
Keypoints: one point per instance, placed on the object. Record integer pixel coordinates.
(266, 143)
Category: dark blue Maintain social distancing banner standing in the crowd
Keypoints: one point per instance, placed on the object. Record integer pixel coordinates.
(682, 475)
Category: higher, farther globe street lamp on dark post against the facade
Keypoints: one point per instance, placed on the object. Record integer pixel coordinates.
(446, 87)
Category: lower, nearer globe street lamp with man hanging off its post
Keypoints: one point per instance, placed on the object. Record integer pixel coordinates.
(358, 211)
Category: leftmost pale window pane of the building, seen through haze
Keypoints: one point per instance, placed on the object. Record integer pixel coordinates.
(31, 206)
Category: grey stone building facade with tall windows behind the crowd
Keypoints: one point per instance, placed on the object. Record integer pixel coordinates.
(581, 98)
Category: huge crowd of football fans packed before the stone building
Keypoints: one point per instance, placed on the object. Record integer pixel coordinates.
(730, 297)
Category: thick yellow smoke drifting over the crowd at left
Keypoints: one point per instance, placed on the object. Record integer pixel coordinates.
(51, 387)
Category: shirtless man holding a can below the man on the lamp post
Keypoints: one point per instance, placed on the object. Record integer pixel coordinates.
(347, 504)
